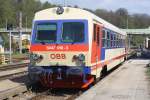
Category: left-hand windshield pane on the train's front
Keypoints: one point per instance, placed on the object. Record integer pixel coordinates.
(46, 32)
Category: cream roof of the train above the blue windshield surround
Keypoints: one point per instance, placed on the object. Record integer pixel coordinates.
(74, 13)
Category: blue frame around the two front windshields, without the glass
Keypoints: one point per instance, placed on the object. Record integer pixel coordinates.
(60, 31)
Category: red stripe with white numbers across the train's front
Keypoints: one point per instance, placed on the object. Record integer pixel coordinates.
(59, 47)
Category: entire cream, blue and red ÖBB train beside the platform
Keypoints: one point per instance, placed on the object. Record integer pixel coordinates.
(71, 47)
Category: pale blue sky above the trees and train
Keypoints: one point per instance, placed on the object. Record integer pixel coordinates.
(133, 6)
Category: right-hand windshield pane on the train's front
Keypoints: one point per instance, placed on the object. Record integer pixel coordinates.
(73, 32)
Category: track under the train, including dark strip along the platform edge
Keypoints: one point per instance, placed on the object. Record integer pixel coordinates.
(55, 94)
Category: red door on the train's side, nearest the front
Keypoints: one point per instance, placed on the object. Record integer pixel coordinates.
(96, 45)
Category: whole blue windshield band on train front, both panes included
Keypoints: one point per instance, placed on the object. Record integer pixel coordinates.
(54, 34)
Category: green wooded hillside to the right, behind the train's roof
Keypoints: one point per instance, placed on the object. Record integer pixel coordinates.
(122, 19)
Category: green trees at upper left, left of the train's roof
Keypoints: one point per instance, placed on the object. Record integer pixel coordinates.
(9, 11)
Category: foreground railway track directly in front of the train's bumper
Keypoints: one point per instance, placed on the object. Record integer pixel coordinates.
(63, 94)
